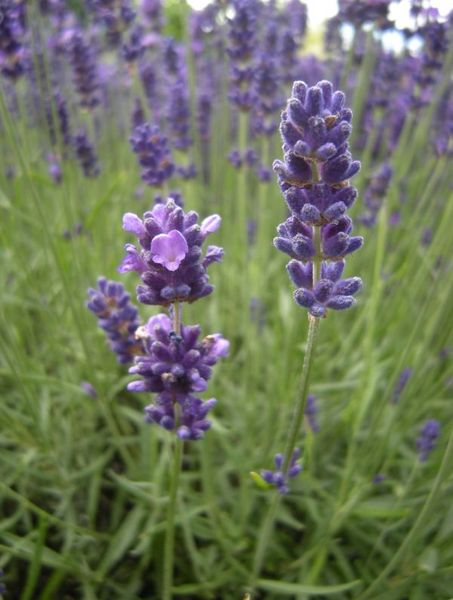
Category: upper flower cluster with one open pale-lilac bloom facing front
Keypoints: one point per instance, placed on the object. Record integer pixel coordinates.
(170, 262)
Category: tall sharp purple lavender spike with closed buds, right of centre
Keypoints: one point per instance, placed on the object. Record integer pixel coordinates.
(314, 178)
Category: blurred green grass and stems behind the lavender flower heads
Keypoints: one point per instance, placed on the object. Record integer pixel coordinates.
(84, 482)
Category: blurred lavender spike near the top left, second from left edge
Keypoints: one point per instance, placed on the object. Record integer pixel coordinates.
(84, 67)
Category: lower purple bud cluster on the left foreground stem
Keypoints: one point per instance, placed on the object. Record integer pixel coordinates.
(176, 366)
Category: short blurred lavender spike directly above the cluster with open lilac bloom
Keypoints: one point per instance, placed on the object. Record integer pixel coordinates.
(153, 153)
